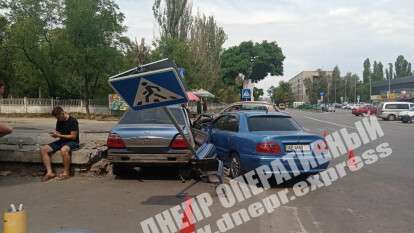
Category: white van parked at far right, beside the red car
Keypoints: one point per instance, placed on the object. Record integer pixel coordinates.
(390, 110)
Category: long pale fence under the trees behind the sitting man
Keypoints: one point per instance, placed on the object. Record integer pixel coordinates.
(35, 105)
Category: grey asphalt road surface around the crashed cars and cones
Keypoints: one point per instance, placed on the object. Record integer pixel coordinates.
(377, 198)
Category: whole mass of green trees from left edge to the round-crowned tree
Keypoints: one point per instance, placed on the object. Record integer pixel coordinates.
(68, 49)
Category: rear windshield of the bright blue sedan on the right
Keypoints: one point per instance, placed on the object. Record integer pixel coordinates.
(272, 123)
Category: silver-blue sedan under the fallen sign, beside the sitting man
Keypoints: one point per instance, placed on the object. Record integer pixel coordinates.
(148, 138)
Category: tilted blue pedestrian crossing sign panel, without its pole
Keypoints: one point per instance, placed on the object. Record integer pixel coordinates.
(150, 89)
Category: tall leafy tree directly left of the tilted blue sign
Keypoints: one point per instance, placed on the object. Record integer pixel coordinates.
(93, 29)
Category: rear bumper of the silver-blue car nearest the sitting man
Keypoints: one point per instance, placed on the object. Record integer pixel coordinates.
(149, 159)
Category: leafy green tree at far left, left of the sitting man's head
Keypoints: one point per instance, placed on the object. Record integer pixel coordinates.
(36, 38)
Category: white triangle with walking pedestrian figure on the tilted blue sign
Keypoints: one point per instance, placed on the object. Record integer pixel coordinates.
(150, 93)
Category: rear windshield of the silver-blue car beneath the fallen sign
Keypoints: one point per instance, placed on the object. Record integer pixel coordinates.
(152, 116)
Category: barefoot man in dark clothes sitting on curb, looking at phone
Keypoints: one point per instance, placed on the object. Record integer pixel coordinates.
(67, 132)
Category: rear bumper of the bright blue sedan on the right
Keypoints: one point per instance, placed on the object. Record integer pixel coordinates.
(249, 163)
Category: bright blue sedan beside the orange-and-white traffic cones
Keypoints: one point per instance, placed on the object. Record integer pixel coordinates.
(247, 140)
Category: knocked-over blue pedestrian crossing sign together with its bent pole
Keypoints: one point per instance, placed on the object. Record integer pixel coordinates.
(151, 86)
